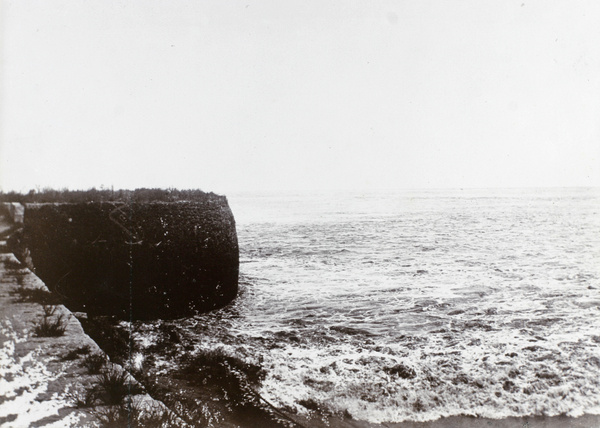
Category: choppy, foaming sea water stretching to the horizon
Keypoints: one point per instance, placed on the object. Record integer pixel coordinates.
(416, 305)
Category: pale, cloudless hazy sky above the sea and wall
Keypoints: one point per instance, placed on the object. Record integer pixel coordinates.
(263, 95)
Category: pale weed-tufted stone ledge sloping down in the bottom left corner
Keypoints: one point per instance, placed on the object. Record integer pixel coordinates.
(52, 374)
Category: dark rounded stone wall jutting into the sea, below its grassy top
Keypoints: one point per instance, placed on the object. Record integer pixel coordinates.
(136, 260)
